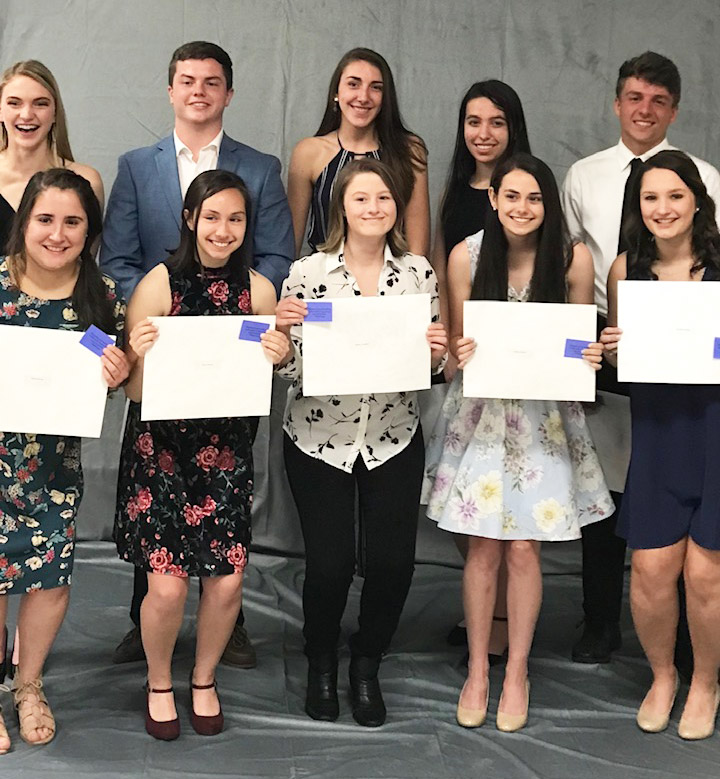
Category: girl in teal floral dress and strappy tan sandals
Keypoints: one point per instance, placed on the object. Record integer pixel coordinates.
(49, 279)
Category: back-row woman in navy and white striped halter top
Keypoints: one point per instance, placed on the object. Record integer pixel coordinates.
(361, 119)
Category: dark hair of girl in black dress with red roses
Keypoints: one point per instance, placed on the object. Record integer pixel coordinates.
(185, 259)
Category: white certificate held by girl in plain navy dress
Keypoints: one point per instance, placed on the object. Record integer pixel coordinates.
(671, 332)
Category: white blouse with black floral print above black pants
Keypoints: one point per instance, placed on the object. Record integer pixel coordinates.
(336, 429)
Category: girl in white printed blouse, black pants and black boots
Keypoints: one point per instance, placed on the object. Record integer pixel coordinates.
(372, 444)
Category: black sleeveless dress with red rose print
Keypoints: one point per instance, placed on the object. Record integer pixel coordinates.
(185, 486)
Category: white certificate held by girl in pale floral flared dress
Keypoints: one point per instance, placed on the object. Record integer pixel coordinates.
(529, 351)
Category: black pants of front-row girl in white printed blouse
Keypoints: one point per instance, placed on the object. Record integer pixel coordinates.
(389, 501)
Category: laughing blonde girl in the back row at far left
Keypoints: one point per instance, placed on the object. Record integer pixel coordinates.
(34, 136)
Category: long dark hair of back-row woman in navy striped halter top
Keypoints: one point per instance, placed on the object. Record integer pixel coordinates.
(403, 151)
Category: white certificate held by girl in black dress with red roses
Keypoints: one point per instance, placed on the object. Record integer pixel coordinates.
(199, 368)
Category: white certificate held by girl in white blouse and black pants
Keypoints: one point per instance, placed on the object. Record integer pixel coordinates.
(372, 344)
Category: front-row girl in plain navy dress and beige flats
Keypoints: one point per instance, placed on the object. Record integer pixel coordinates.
(670, 512)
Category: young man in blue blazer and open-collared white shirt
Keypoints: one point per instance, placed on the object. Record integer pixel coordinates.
(142, 222)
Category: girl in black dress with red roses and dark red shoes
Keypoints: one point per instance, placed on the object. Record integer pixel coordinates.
(185, 486)
